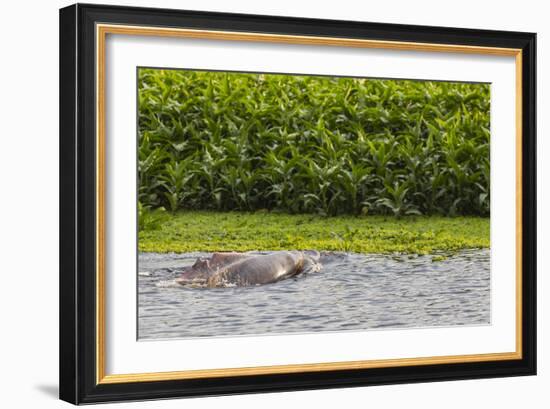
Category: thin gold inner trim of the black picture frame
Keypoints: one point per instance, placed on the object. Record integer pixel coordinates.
(101, 33)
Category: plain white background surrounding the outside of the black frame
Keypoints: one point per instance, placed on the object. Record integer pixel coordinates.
(29, 202)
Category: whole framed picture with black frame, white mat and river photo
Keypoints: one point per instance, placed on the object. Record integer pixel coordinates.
(257, 203)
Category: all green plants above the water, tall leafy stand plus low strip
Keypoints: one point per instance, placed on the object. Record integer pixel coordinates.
(317, 145)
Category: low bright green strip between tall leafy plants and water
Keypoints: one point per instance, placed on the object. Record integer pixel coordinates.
(239, 231)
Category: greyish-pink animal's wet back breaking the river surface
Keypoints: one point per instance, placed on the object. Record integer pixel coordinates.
(245, 269)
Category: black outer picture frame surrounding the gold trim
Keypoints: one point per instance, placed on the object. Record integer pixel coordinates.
(78, 236)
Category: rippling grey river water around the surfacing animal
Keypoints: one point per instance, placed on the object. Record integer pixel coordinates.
(351, 292)
